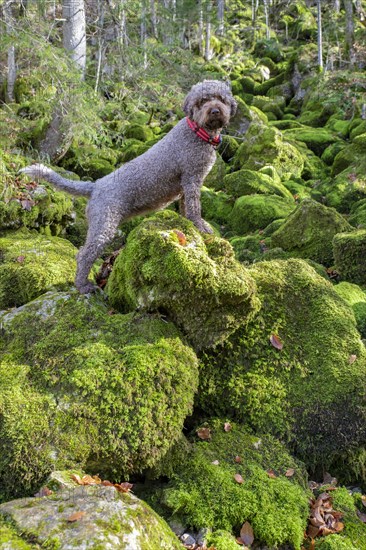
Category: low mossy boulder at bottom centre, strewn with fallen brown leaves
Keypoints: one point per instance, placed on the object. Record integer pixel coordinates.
(205, 493)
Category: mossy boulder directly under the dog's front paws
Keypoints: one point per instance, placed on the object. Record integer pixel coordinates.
(168, 266)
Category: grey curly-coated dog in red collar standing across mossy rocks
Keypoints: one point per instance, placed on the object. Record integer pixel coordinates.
(174, 168)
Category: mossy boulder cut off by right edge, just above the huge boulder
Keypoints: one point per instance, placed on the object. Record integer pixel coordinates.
(349, 251)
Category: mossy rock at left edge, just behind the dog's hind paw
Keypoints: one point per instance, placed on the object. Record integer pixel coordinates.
(31, 263)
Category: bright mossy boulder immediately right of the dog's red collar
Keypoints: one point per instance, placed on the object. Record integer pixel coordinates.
(266, 146)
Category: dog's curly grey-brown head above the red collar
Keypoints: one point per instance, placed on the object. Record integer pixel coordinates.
(210, 104)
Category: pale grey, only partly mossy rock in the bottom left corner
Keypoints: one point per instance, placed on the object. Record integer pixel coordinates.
(107, 519)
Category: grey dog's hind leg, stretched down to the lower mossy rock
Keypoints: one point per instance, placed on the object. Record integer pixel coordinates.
(102, 228)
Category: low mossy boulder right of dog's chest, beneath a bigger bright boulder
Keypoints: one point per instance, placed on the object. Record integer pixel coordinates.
(248, 182)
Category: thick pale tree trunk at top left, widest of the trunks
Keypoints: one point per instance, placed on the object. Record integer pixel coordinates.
(74, 34)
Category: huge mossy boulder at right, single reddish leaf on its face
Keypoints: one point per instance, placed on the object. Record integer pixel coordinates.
(308, 392)
